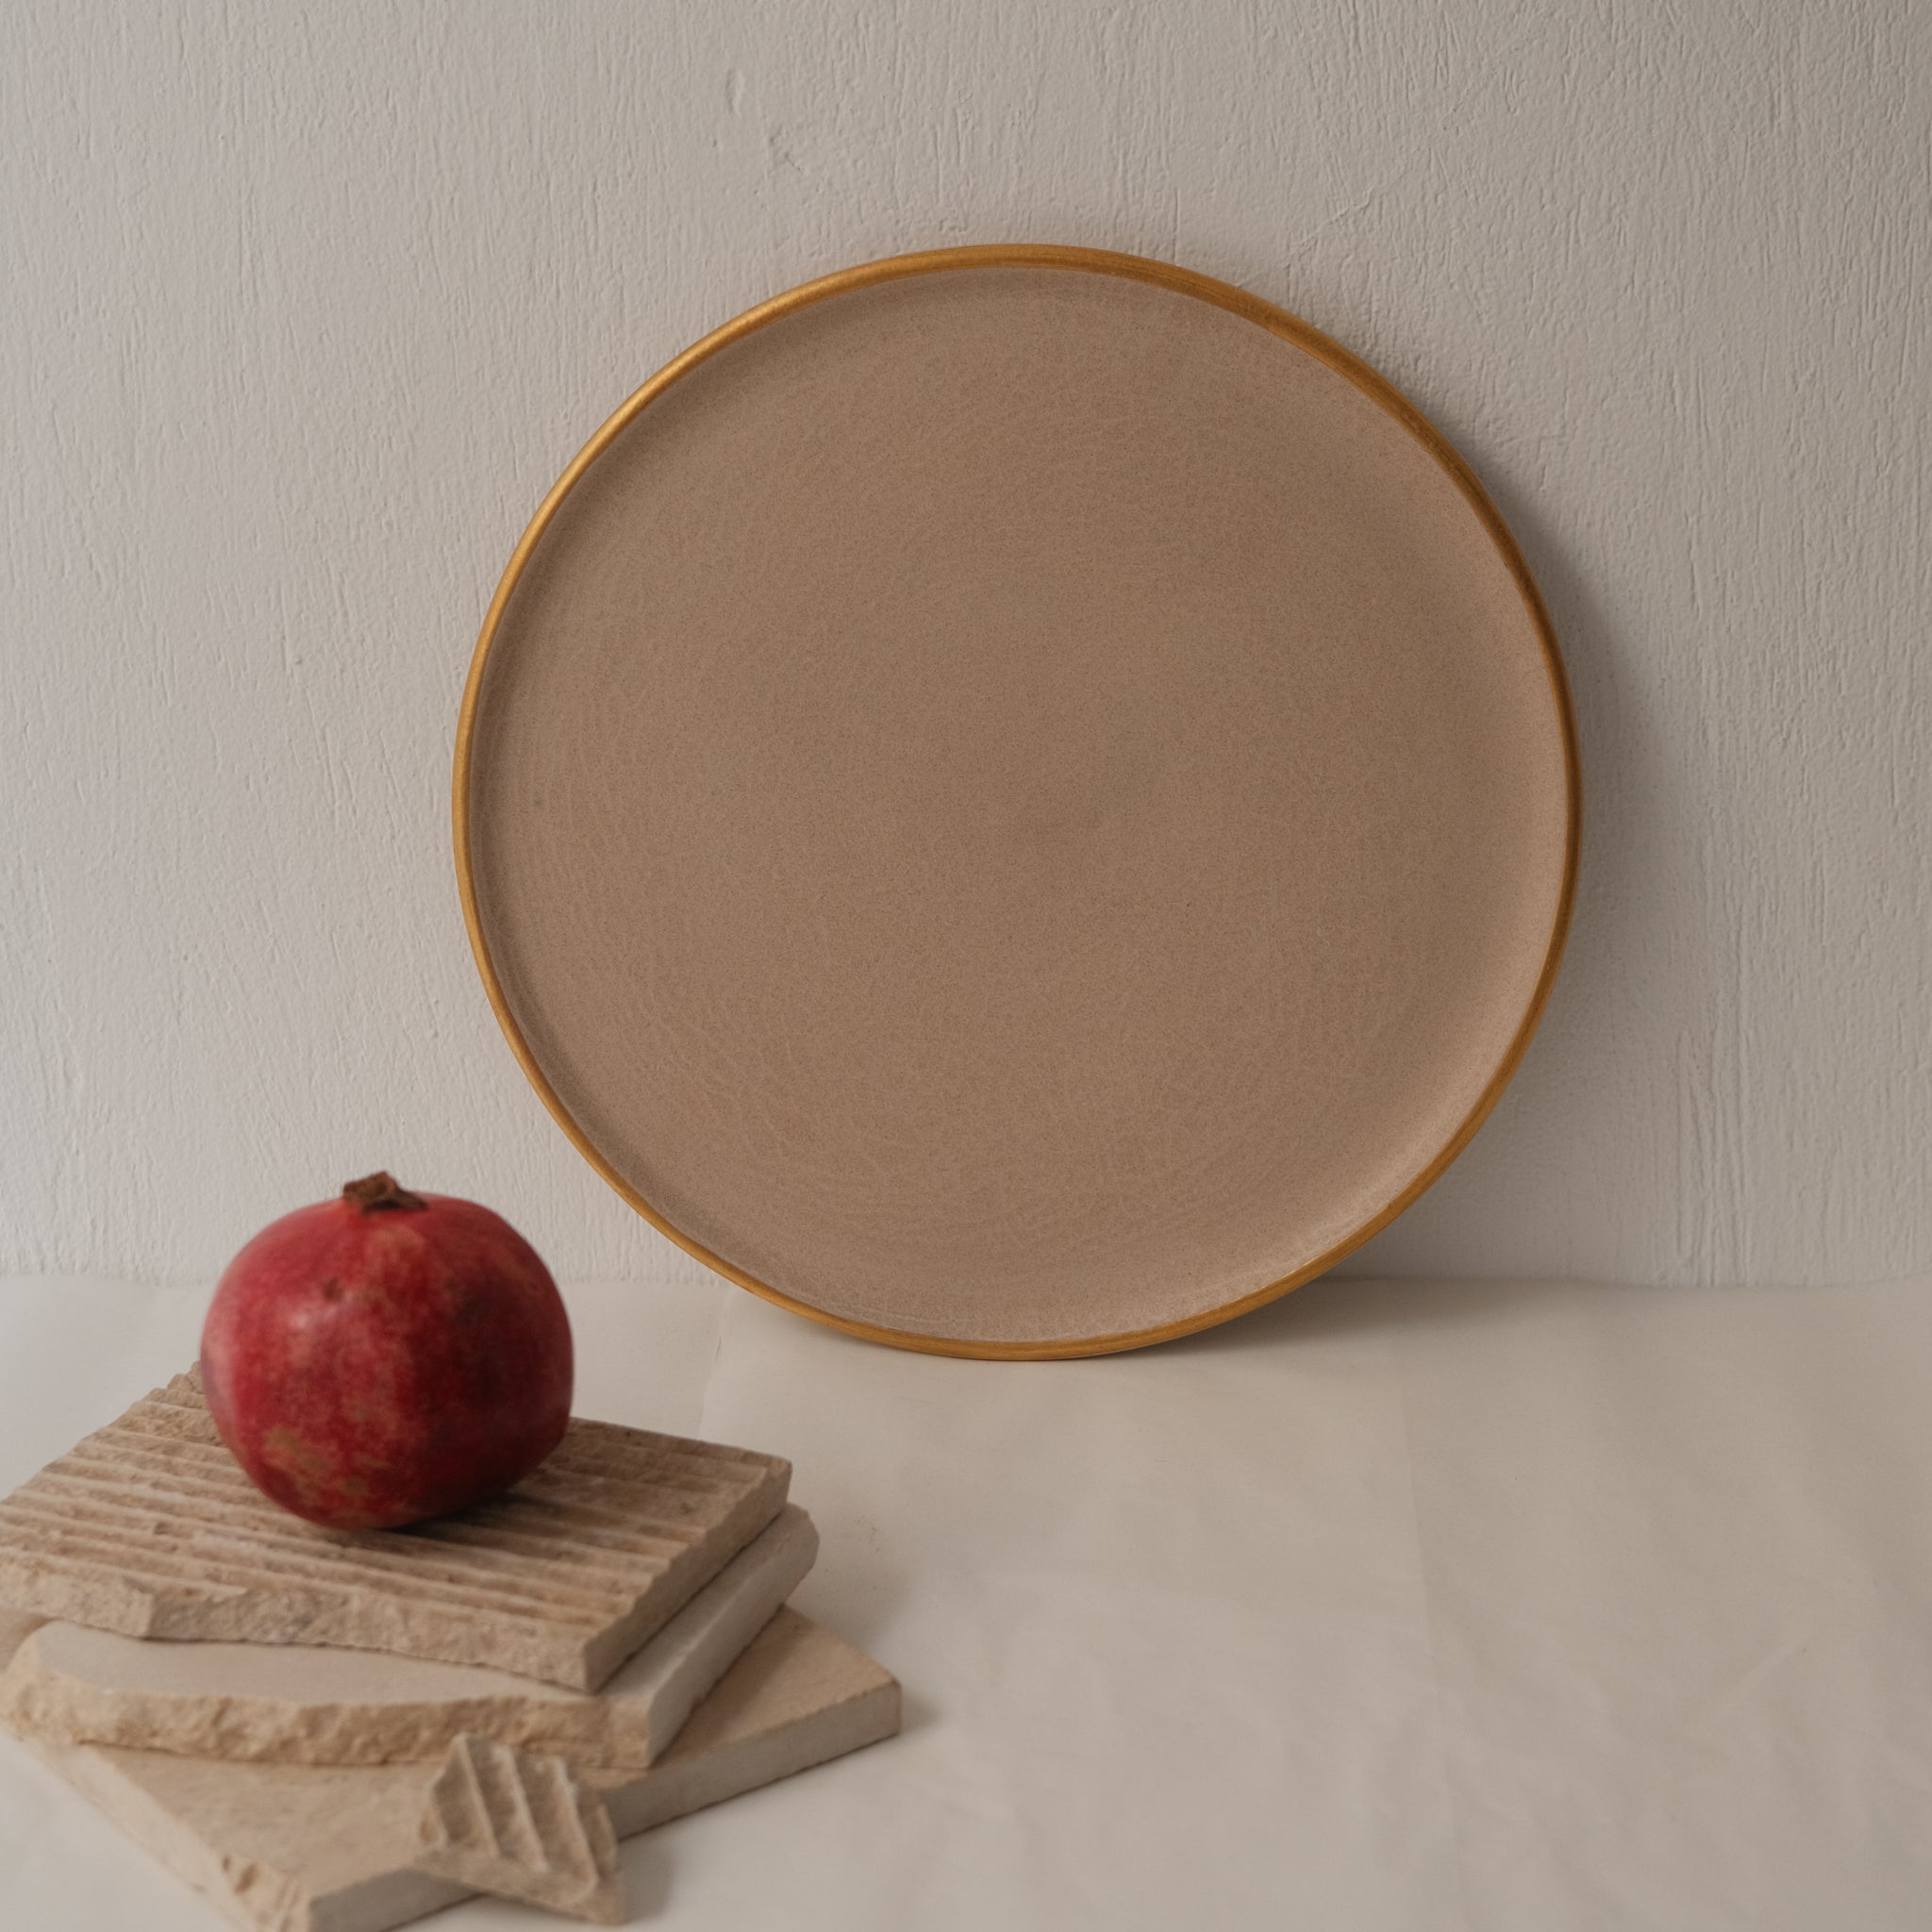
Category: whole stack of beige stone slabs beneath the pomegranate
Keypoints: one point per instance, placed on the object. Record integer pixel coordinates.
(351, 1730)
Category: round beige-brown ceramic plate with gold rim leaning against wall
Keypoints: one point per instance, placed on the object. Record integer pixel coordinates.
(1017, 803)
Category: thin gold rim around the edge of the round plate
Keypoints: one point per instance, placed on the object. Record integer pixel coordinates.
(1083, 262)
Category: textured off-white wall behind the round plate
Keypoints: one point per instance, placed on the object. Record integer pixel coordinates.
(306, 308)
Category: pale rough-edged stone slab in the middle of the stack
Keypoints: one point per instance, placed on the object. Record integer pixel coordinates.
(310, 1705)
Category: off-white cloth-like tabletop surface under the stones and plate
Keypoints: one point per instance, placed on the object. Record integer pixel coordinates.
(1496, 1608)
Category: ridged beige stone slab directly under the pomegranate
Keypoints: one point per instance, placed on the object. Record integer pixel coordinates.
(152, 1529)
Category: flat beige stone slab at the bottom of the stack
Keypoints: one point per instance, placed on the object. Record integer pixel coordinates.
(300, 1848)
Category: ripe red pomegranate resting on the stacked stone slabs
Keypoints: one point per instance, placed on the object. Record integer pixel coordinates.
(385, 1357)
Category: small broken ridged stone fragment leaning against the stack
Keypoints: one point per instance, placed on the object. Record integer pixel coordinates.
(523, 1829)
